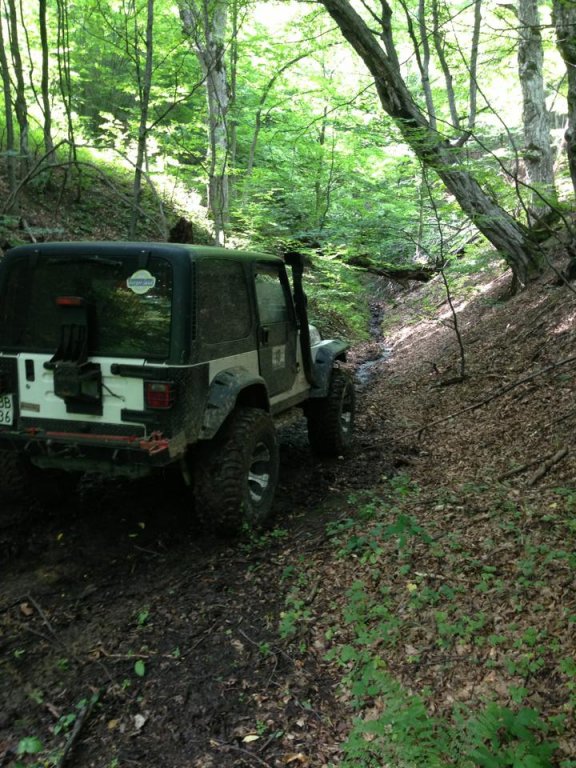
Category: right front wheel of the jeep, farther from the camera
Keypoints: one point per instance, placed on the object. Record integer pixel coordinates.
(331, 418)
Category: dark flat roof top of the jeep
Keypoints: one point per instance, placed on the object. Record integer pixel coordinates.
(120, 248)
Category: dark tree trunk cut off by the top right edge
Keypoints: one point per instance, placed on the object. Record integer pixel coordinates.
(564, 16)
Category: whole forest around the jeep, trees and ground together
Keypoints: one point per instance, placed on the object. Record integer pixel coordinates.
(414, 603)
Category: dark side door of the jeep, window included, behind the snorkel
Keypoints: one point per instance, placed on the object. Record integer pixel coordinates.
(277, 333)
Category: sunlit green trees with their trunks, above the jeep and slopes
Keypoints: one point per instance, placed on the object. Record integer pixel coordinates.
(389, 134)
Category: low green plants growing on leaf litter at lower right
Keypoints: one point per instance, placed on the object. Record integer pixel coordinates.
(385, 617)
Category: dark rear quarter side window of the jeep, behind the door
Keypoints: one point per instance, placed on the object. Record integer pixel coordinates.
(223, 304)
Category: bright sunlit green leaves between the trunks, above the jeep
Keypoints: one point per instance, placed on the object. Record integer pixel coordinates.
(311, 155)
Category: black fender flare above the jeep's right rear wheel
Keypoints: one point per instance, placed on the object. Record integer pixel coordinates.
(227, 389)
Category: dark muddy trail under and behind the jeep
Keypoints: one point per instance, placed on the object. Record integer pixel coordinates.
(117, 595)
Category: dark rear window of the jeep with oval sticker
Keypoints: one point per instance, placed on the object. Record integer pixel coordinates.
(129, 306)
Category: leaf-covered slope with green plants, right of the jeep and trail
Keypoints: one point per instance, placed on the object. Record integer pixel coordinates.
(460, 568)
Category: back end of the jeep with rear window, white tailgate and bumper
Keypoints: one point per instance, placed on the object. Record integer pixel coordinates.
(92, 340)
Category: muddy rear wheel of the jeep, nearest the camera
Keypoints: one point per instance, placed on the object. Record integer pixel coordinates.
(235, 478)
